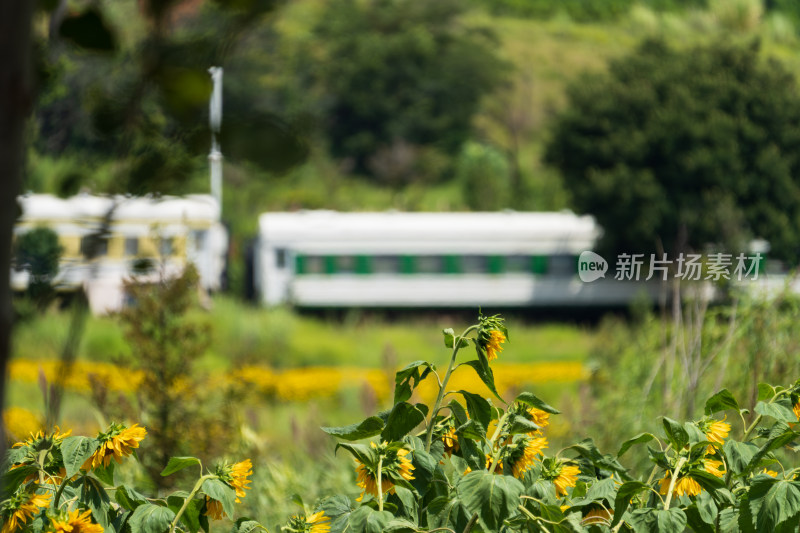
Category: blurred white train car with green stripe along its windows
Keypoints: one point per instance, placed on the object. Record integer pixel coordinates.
(326, 259)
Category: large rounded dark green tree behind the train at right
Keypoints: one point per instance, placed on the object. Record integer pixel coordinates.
(685, 148)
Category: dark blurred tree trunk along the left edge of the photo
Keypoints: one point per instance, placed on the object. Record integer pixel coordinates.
(16, 98)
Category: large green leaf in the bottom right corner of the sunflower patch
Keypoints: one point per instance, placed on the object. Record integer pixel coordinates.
(774, 502)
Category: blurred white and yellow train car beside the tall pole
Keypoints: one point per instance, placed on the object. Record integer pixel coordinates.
(168, 232)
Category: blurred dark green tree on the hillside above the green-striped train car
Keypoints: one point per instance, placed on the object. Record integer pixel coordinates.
(400, 74)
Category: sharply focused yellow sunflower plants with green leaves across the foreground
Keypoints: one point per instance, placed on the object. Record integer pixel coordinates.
(463, 463)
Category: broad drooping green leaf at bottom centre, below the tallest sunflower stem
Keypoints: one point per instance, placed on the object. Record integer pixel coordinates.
(493, 497)
